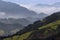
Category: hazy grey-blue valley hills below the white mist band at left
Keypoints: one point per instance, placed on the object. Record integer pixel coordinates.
(13, 25)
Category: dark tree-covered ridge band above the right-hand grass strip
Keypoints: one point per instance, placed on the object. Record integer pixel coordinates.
(37, 24)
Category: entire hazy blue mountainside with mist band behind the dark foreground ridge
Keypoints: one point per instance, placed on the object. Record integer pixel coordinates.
(16, 17)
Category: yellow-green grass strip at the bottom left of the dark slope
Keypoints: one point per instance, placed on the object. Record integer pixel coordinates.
(19, 37)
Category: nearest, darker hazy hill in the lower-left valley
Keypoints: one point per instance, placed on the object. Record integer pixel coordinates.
(7, 28)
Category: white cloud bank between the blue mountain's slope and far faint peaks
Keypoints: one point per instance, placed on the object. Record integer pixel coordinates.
(44, 9)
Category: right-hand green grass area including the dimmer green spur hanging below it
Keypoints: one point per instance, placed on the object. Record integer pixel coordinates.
(51, 26)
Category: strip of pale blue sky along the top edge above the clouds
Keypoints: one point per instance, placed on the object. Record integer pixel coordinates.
(34, 1)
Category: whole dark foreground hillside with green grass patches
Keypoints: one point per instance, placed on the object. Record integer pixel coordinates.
(46, 31)
